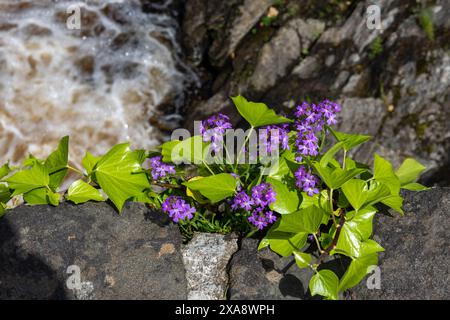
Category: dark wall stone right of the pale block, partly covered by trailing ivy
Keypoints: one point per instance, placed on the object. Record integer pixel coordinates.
(414, 265)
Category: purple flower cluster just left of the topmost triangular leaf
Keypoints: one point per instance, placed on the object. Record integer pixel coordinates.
(213, 129)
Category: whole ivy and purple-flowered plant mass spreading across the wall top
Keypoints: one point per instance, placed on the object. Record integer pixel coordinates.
(291, 182)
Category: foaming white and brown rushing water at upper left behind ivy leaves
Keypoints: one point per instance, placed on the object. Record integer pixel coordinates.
(100, 84)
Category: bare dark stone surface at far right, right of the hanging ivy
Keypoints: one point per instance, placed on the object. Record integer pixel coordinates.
(415, 264)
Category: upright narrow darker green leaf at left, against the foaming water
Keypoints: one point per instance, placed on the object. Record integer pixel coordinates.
(56, 163)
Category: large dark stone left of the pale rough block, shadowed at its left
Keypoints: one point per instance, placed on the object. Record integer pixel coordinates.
(132, 256)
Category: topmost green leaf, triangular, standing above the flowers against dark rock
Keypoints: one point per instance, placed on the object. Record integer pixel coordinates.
(257, 114)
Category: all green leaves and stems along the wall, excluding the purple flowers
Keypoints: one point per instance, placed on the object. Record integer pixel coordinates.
(334, 221)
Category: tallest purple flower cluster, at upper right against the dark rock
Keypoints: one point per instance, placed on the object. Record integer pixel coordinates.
(311, 118)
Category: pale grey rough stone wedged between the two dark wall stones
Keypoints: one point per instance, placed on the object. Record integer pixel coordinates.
(206, 259)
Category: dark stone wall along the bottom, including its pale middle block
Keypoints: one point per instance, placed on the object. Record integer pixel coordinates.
(140, 255)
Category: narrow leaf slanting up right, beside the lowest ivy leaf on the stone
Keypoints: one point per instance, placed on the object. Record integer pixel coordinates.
(357, 270)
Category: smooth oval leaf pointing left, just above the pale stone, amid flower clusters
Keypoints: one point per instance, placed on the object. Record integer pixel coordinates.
(215, 188)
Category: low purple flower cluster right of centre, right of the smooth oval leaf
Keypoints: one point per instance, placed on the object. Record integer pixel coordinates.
(262, 196)
